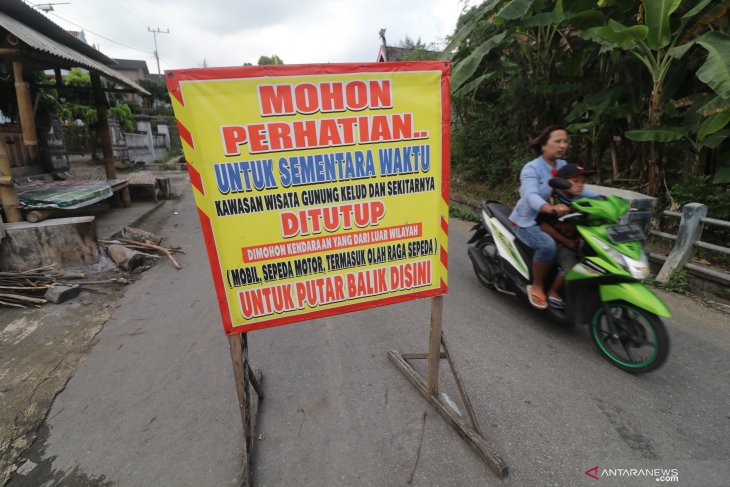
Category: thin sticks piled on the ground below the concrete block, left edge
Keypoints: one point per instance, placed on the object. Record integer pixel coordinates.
(20, 289)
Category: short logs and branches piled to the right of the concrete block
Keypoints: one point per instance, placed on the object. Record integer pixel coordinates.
(135, 245)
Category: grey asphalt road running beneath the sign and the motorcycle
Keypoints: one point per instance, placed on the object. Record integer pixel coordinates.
(154, 402)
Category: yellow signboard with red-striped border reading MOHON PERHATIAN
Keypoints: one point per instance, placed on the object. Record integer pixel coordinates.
(321, 189)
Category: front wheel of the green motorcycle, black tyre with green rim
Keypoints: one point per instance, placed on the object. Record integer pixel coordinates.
(629, 337)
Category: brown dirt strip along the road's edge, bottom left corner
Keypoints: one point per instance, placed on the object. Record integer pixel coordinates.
(40, 349)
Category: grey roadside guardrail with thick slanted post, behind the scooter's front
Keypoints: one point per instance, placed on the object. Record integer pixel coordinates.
(692, 221)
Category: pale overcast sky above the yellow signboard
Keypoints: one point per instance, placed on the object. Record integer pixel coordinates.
(232, 32)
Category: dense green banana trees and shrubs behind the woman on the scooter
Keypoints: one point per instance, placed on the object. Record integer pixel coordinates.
(643, 85)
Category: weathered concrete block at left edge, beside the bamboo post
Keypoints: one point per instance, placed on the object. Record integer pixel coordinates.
(68, 242)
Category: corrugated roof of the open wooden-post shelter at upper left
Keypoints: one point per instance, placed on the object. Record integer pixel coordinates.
(40, 34)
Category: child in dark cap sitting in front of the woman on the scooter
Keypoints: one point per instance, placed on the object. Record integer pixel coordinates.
(565, 234)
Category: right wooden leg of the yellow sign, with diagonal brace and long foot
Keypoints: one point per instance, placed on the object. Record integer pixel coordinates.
(471, 433)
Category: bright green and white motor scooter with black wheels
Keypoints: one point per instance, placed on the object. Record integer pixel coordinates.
(603, 290)
